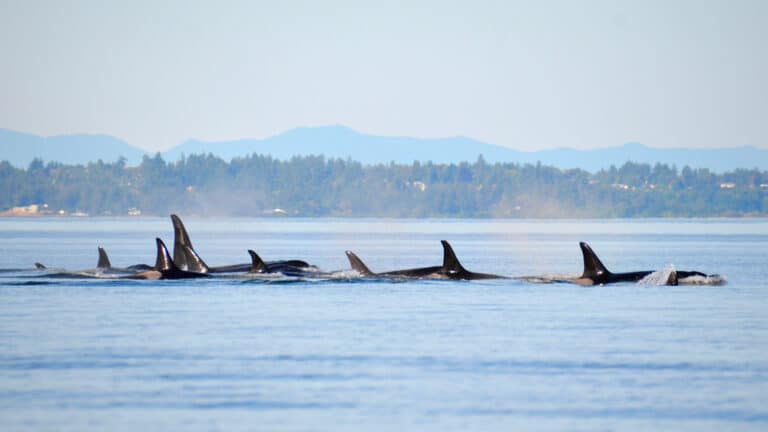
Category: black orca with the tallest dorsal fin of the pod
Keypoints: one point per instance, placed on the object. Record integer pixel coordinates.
(187, 258)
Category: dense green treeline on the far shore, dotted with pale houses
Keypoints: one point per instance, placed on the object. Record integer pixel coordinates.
(315, 186)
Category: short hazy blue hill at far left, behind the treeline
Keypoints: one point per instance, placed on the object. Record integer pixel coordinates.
(20, 148)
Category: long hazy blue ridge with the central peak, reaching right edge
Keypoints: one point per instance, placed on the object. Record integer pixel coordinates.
(342, 142)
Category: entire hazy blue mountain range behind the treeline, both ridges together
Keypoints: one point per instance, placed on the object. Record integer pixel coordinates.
(341, 142)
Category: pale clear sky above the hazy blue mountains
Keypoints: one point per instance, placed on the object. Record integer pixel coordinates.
(527, 75)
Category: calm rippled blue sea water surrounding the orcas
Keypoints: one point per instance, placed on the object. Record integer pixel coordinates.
(351, 355)
